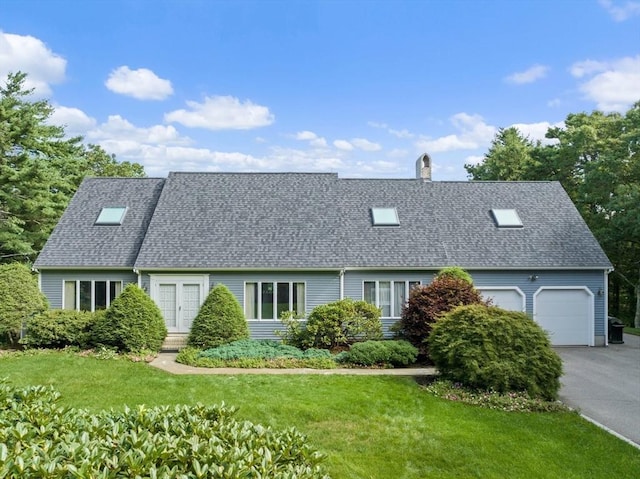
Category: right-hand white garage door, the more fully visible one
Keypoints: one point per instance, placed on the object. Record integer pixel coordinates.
(567, 314)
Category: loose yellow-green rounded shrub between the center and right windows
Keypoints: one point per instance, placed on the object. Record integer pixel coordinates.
(340, 324)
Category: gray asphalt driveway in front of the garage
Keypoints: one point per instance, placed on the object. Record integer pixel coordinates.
(604, 384)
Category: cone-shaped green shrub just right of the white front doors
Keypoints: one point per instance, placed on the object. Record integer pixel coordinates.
(220, 320)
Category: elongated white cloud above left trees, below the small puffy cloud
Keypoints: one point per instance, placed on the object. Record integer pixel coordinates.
(118, 129)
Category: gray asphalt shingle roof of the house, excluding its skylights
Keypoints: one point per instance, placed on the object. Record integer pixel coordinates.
(297, 220)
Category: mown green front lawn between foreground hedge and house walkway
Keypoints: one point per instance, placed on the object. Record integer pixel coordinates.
(370, 427)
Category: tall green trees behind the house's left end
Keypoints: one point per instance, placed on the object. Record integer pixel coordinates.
(40, 170)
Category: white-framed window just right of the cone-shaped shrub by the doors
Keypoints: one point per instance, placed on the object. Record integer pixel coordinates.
(269, 299)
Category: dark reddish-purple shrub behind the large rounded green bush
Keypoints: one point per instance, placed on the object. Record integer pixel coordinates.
(427, 303)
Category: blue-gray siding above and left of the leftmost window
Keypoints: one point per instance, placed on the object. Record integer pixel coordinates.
(52, 281)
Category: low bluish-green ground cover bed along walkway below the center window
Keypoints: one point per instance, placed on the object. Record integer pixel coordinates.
(251, 353)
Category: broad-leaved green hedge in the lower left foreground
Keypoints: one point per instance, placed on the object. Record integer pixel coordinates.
(40, 439)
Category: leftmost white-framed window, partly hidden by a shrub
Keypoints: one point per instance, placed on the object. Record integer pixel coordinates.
(90, 295)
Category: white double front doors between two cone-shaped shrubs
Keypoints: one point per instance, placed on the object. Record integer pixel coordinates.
(179, 299)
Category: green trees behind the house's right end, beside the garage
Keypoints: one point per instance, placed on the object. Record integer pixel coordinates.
(595, 157)
